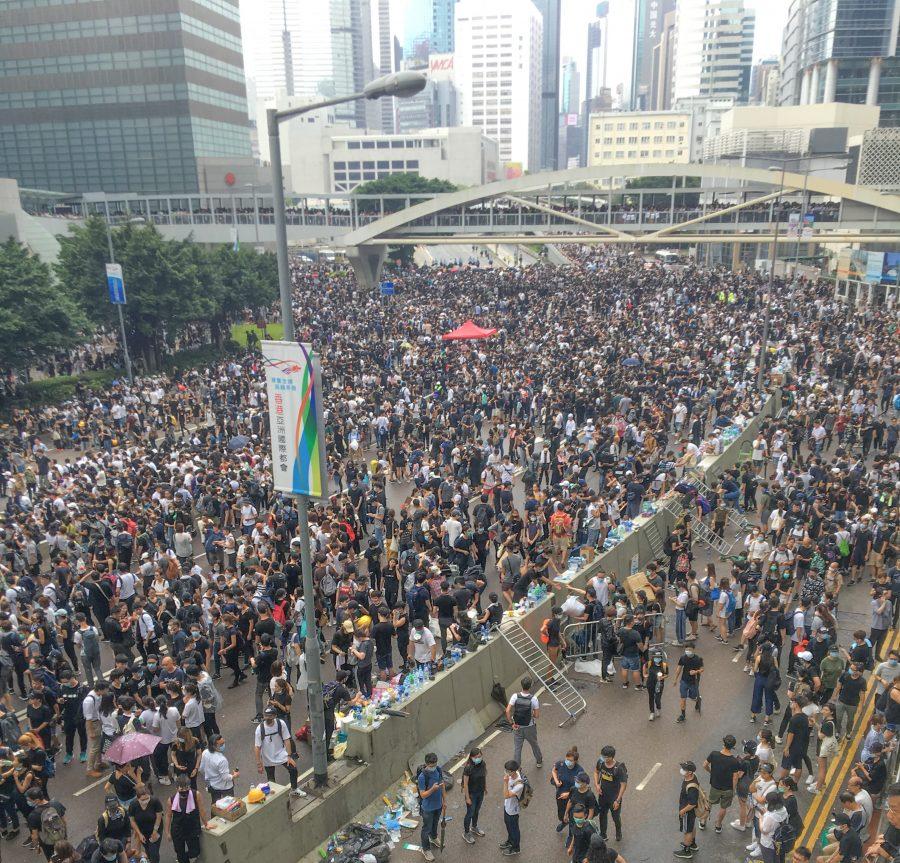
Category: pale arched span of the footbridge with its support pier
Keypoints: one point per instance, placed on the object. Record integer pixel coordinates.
(860, 215)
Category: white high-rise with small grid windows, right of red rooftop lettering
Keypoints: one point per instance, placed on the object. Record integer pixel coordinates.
(498, 61)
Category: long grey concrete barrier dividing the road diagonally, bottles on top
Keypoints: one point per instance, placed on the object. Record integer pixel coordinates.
(445, 715)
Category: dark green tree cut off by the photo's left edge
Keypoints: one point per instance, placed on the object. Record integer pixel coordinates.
(36, 316)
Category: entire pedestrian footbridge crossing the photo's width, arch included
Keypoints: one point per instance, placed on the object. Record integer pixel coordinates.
(649, 205)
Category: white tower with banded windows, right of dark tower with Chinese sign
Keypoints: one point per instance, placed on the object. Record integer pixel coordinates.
(713, 49)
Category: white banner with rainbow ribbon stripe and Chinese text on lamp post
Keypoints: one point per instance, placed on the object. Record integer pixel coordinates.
(294, 389)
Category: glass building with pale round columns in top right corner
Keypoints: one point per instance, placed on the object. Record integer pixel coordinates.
(842, 51)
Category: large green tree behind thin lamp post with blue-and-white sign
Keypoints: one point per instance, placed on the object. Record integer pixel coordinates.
(166, 283)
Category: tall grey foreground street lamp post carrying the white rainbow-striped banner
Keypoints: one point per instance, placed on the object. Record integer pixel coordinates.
(400, 84)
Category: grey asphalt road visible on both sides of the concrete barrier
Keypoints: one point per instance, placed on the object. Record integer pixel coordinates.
(650, 828)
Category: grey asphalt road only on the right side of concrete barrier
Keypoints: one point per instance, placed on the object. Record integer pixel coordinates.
(650, 750)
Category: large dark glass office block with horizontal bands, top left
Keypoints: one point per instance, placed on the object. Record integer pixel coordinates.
(94, 99)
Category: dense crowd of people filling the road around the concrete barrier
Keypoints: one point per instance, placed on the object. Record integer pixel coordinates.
(145, 553)
